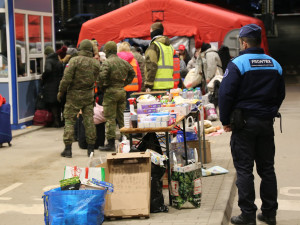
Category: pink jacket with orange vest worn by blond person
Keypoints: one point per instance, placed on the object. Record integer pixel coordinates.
(128, 56)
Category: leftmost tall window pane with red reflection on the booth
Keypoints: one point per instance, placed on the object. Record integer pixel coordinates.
(20, 44)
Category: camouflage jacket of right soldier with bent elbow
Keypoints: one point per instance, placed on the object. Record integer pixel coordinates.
(115, 73)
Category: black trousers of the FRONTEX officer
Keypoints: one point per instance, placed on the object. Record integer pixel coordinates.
(255, 143)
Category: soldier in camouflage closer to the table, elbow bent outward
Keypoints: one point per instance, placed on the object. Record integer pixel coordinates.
(115, 74)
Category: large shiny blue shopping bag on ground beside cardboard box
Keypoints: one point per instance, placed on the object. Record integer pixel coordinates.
(77, 207)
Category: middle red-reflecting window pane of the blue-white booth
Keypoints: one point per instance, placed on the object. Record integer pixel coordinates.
(34, 32)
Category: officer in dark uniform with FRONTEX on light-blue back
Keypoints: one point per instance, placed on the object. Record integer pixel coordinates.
(250, 96)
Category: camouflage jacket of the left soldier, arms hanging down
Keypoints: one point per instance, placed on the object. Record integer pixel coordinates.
(79, 77)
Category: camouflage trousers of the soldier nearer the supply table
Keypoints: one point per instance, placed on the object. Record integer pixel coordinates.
(114, 103)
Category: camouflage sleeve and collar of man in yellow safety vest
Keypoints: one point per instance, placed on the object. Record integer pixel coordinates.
(151, 59)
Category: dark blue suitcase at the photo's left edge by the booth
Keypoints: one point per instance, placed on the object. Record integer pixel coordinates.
(5, 127)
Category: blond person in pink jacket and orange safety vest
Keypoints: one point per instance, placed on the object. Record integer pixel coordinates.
(125, 53)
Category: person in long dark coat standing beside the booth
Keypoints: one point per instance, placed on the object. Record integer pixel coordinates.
(50, 81)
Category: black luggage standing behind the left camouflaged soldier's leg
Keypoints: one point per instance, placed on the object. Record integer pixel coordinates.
(100, 134)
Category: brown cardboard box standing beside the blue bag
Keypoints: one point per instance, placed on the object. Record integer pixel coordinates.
(130, 173)
